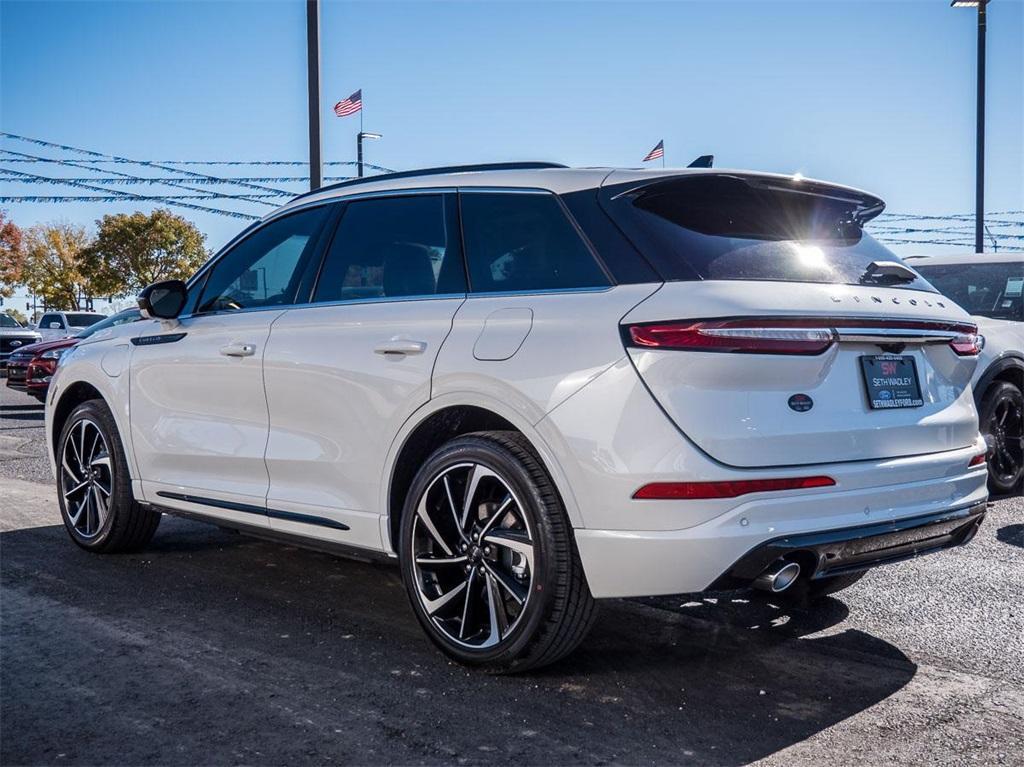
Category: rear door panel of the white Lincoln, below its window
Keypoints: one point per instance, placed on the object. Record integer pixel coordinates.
(336, 397)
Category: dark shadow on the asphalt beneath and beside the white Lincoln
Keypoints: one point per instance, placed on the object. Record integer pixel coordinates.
(216, 648)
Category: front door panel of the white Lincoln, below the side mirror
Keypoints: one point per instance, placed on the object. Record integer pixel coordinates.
(199, 418)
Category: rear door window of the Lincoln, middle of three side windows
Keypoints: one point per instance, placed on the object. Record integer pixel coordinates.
(393, 248)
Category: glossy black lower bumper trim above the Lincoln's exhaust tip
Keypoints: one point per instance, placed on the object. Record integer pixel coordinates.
(855, 549)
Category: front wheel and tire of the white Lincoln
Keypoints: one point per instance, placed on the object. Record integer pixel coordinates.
(97, 503)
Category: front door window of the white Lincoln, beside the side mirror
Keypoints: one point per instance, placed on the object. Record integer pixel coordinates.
(266, 268)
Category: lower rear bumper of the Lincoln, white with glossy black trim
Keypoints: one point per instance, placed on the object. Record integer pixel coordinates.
(859, 528)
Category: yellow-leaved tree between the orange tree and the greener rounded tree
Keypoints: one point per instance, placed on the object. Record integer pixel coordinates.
(54, 265)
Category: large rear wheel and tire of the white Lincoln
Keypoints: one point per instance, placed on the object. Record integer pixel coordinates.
(514, 595)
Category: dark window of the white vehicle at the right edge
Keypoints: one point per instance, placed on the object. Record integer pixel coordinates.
(993, 290)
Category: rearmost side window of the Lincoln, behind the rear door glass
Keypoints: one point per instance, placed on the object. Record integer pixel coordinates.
(524, 242)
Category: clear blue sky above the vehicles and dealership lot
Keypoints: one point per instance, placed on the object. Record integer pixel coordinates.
(874, 95)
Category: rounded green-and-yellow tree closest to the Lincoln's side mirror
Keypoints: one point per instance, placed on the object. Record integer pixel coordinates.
(134, 250)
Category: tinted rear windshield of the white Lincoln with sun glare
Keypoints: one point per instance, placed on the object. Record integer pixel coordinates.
(732, 228)
